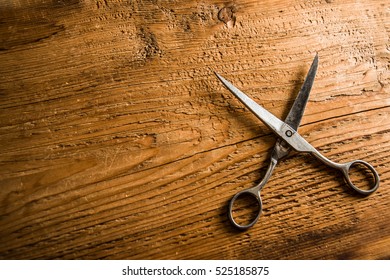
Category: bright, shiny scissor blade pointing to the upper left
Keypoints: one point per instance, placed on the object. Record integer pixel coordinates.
(265, 116)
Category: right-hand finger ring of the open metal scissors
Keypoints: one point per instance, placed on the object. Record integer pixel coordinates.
(346, 168)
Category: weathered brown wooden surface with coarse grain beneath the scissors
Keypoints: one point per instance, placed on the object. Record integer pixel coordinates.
(118, 142)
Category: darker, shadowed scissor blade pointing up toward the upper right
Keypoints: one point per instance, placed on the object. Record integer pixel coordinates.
(294, 117)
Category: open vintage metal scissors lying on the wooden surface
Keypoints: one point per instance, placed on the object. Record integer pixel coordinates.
(288, 139)
